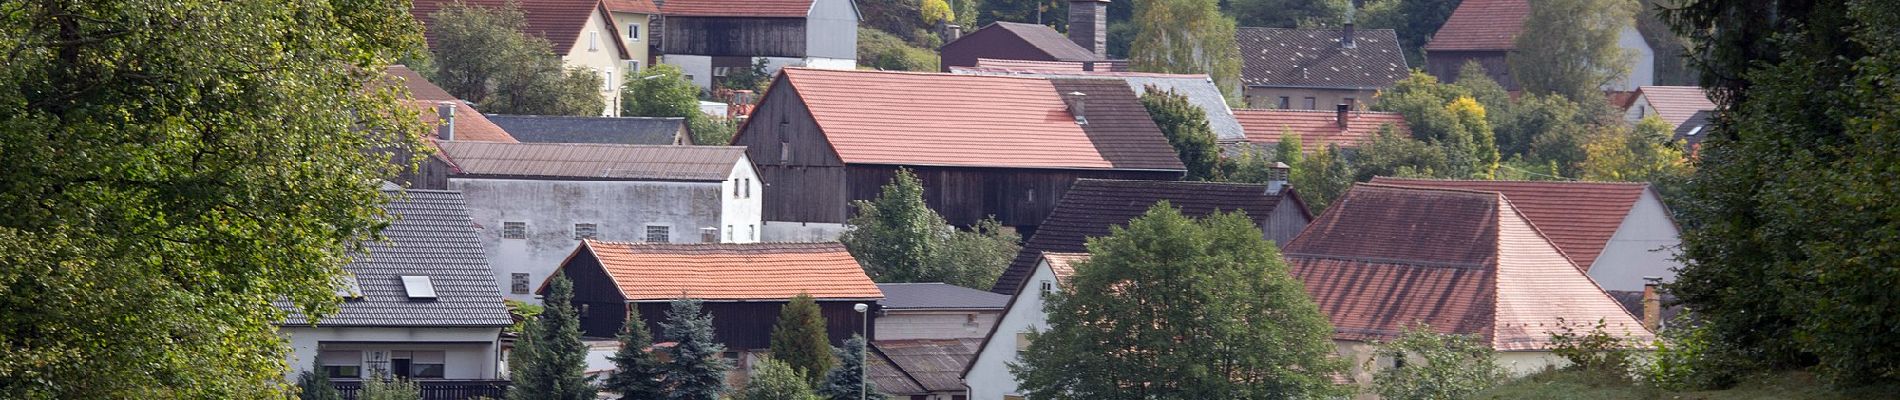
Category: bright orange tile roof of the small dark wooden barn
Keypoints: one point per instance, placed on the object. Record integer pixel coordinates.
(656, 272)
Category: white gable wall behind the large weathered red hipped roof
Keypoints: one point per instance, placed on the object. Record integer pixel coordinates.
(1643, 247)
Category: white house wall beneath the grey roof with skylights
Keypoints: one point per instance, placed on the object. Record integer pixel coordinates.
(470, 354)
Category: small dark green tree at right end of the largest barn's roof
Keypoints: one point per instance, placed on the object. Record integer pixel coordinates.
(1187, 130)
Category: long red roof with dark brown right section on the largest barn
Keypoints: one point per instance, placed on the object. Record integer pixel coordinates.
(913, 118)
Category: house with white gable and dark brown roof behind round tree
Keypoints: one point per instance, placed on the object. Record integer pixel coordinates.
(1090, 209)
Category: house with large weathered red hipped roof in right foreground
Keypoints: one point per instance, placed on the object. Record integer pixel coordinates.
(1388, 259)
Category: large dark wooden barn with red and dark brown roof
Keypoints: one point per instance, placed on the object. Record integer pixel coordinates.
(983, 145)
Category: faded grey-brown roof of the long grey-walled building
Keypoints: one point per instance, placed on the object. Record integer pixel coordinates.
(592, 162)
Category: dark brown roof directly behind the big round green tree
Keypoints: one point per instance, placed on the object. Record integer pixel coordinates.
(1092, 208)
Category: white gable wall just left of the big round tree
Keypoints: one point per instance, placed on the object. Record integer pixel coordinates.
(989, 376)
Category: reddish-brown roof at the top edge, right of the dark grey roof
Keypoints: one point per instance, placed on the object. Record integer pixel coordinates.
(1481, 26)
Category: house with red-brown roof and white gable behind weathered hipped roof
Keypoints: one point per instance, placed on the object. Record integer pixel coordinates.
(1616, 232)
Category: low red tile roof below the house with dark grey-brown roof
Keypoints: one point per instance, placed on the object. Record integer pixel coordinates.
(1318, 128)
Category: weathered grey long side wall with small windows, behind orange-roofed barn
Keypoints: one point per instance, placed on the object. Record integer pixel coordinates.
(552, 208)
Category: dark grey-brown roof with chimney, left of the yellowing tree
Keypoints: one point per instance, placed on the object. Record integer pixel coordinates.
(1312, 58)
